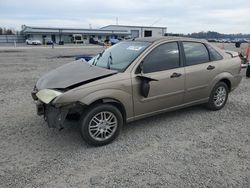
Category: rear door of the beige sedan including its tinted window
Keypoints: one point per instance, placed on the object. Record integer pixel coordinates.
(200, 69)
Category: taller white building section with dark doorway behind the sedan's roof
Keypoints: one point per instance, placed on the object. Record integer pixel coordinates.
(139, 31)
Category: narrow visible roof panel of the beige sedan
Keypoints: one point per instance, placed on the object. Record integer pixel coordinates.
(167, 38)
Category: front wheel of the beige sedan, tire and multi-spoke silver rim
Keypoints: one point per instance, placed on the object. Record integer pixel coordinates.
(101, 124)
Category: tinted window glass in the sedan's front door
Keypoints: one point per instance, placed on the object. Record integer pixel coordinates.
(163, 57)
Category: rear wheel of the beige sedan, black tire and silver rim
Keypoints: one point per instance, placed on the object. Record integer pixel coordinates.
(221, 91)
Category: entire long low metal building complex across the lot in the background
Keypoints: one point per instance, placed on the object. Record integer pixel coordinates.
(69, 35)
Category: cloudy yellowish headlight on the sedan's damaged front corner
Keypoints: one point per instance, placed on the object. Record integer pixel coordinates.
(47, 95)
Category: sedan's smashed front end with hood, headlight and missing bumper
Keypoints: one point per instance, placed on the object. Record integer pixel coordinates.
(56, 83)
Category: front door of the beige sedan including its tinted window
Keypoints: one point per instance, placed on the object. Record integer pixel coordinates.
(163, 65)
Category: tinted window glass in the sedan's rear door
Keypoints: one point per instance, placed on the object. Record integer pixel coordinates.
(195, 53)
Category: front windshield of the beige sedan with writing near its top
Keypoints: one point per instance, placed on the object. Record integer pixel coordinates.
(119, 56)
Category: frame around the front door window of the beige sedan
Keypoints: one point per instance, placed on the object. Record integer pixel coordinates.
(181, 62)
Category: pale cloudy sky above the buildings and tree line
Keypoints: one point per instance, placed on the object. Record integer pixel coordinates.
(179, 16)
